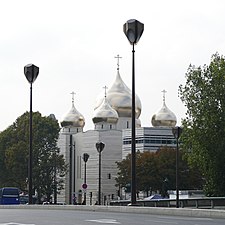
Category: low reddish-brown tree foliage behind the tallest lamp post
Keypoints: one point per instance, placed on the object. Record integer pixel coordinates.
(156, 171)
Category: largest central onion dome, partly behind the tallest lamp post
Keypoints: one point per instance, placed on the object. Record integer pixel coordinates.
(120, 98)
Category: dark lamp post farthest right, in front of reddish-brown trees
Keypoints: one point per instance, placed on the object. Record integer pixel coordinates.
(177, 132)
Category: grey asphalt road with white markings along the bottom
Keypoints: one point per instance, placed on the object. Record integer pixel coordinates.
(74, 217)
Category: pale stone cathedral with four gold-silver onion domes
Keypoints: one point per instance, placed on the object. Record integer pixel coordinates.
(112, 126)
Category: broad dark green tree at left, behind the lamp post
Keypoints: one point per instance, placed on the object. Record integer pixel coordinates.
(48, 165)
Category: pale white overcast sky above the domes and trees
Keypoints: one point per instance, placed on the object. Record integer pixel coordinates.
(74, 44)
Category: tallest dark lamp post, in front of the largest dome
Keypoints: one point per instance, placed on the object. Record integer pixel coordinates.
(133, 29)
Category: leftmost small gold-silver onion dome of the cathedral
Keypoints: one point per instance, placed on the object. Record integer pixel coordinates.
(73, 118)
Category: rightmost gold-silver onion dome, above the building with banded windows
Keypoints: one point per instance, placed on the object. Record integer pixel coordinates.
(164, 117)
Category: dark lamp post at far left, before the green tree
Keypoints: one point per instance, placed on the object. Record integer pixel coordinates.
(31, 72)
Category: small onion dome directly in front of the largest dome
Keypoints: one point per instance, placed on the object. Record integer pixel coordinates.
(105, 113)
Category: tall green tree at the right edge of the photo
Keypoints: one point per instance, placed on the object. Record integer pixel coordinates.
(204, 125)
